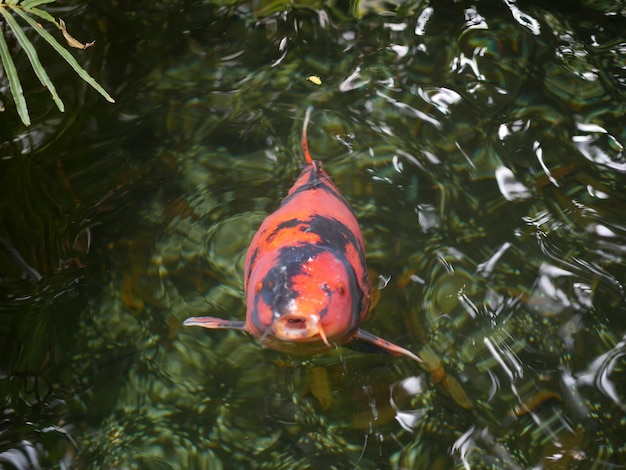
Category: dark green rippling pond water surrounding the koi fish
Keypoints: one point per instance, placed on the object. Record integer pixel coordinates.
(481, 145)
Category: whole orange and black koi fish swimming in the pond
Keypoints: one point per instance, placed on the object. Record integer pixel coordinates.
(305, 278)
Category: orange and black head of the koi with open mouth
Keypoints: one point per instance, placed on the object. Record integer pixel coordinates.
(303, 300)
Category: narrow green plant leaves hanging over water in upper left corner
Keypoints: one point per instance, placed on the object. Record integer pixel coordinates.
(27, 10)
